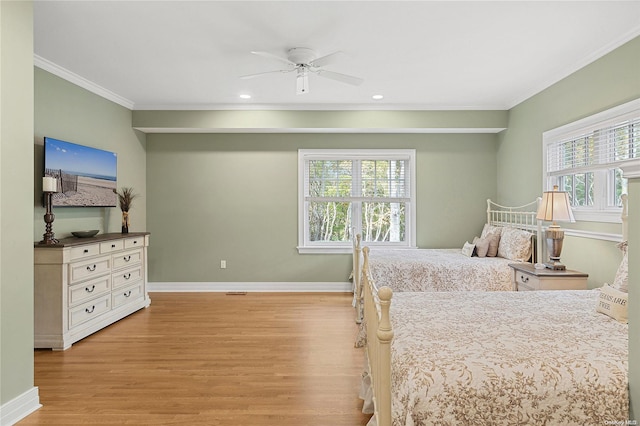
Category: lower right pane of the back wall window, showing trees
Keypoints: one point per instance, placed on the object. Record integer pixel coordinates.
(383, 222)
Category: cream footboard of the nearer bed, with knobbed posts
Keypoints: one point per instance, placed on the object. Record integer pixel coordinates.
(377, 303)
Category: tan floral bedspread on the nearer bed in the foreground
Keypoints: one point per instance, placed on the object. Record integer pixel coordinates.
(507, 358)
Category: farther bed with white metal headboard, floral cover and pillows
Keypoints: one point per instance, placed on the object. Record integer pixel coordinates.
(451, 269)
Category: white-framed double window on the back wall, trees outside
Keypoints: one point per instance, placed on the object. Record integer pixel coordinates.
(347, 192)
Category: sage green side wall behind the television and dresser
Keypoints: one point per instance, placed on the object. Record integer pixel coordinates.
(68, 112)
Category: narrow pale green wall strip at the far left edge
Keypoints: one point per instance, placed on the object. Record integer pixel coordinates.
(16, 197)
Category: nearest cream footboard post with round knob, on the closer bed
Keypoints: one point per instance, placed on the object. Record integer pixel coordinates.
(385, 335)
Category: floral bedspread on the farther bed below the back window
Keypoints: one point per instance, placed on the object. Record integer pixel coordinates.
(438, 270)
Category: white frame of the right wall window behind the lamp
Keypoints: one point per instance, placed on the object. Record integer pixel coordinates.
(601, 211)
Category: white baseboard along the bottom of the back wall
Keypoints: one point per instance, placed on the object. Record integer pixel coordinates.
(293, 287)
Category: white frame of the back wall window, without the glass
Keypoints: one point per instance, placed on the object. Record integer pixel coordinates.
(306, 246)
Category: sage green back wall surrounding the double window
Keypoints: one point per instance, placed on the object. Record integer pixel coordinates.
(234, 197)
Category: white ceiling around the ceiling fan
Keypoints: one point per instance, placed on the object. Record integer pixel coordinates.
(418, 54)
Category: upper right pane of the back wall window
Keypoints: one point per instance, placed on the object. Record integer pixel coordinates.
(383, 178)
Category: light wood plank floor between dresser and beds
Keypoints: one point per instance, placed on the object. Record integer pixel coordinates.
(211, 359)
